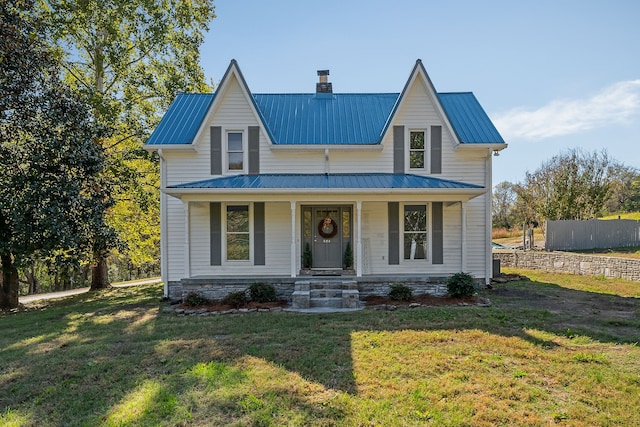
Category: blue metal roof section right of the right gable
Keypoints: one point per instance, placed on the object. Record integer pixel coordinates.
(469, 121)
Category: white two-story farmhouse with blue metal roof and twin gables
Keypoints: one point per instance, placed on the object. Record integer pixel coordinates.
(286, 188)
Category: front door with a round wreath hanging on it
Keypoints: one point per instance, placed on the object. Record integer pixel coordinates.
(327, 237)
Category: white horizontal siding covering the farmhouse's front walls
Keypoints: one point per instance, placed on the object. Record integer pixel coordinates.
(235, 112)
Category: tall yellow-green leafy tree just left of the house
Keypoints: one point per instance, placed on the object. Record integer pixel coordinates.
(131, 57)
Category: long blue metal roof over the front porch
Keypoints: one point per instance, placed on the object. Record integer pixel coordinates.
(330, 181)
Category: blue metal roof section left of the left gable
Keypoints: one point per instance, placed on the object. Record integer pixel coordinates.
(182, 120)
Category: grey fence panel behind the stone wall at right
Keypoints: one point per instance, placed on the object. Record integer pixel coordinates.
(591, 234)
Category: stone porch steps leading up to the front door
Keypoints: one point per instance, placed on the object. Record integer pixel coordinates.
(325, 294)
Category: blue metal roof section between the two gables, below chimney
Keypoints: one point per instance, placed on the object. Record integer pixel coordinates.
(331, 119)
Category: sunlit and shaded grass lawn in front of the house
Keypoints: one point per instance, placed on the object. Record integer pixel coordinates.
(112, 359)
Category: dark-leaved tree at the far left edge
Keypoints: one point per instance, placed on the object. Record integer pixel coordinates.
(50, 186)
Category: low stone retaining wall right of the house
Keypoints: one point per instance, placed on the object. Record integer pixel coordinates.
(564, 262)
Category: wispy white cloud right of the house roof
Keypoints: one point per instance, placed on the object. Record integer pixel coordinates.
(617, 103)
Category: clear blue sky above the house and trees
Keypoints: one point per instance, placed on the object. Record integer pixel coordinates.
(551, 74)
